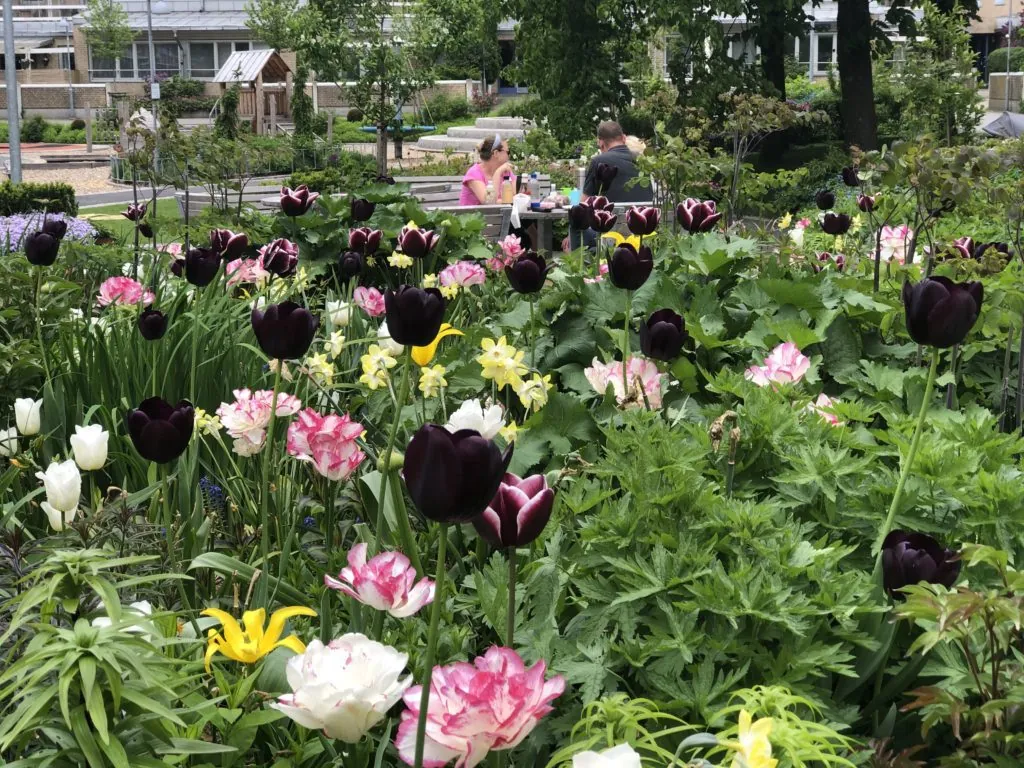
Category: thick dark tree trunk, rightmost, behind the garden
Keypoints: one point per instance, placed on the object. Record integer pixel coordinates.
(855, 40)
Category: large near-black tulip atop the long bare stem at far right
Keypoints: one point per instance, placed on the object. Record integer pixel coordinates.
(941, 313)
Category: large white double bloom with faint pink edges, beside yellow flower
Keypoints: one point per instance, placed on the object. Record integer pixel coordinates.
(345, 689)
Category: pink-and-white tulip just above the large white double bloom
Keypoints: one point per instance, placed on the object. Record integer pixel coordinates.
(387, 582)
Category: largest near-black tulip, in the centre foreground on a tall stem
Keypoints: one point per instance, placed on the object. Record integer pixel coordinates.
(453, 478)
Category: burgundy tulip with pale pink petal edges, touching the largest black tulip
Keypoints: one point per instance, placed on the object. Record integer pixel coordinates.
(519, 513)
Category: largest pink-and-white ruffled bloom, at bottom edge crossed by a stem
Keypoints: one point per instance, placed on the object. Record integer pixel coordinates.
(493, 704)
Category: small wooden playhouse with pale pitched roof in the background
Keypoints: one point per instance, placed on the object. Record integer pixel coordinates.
(266, 84)
